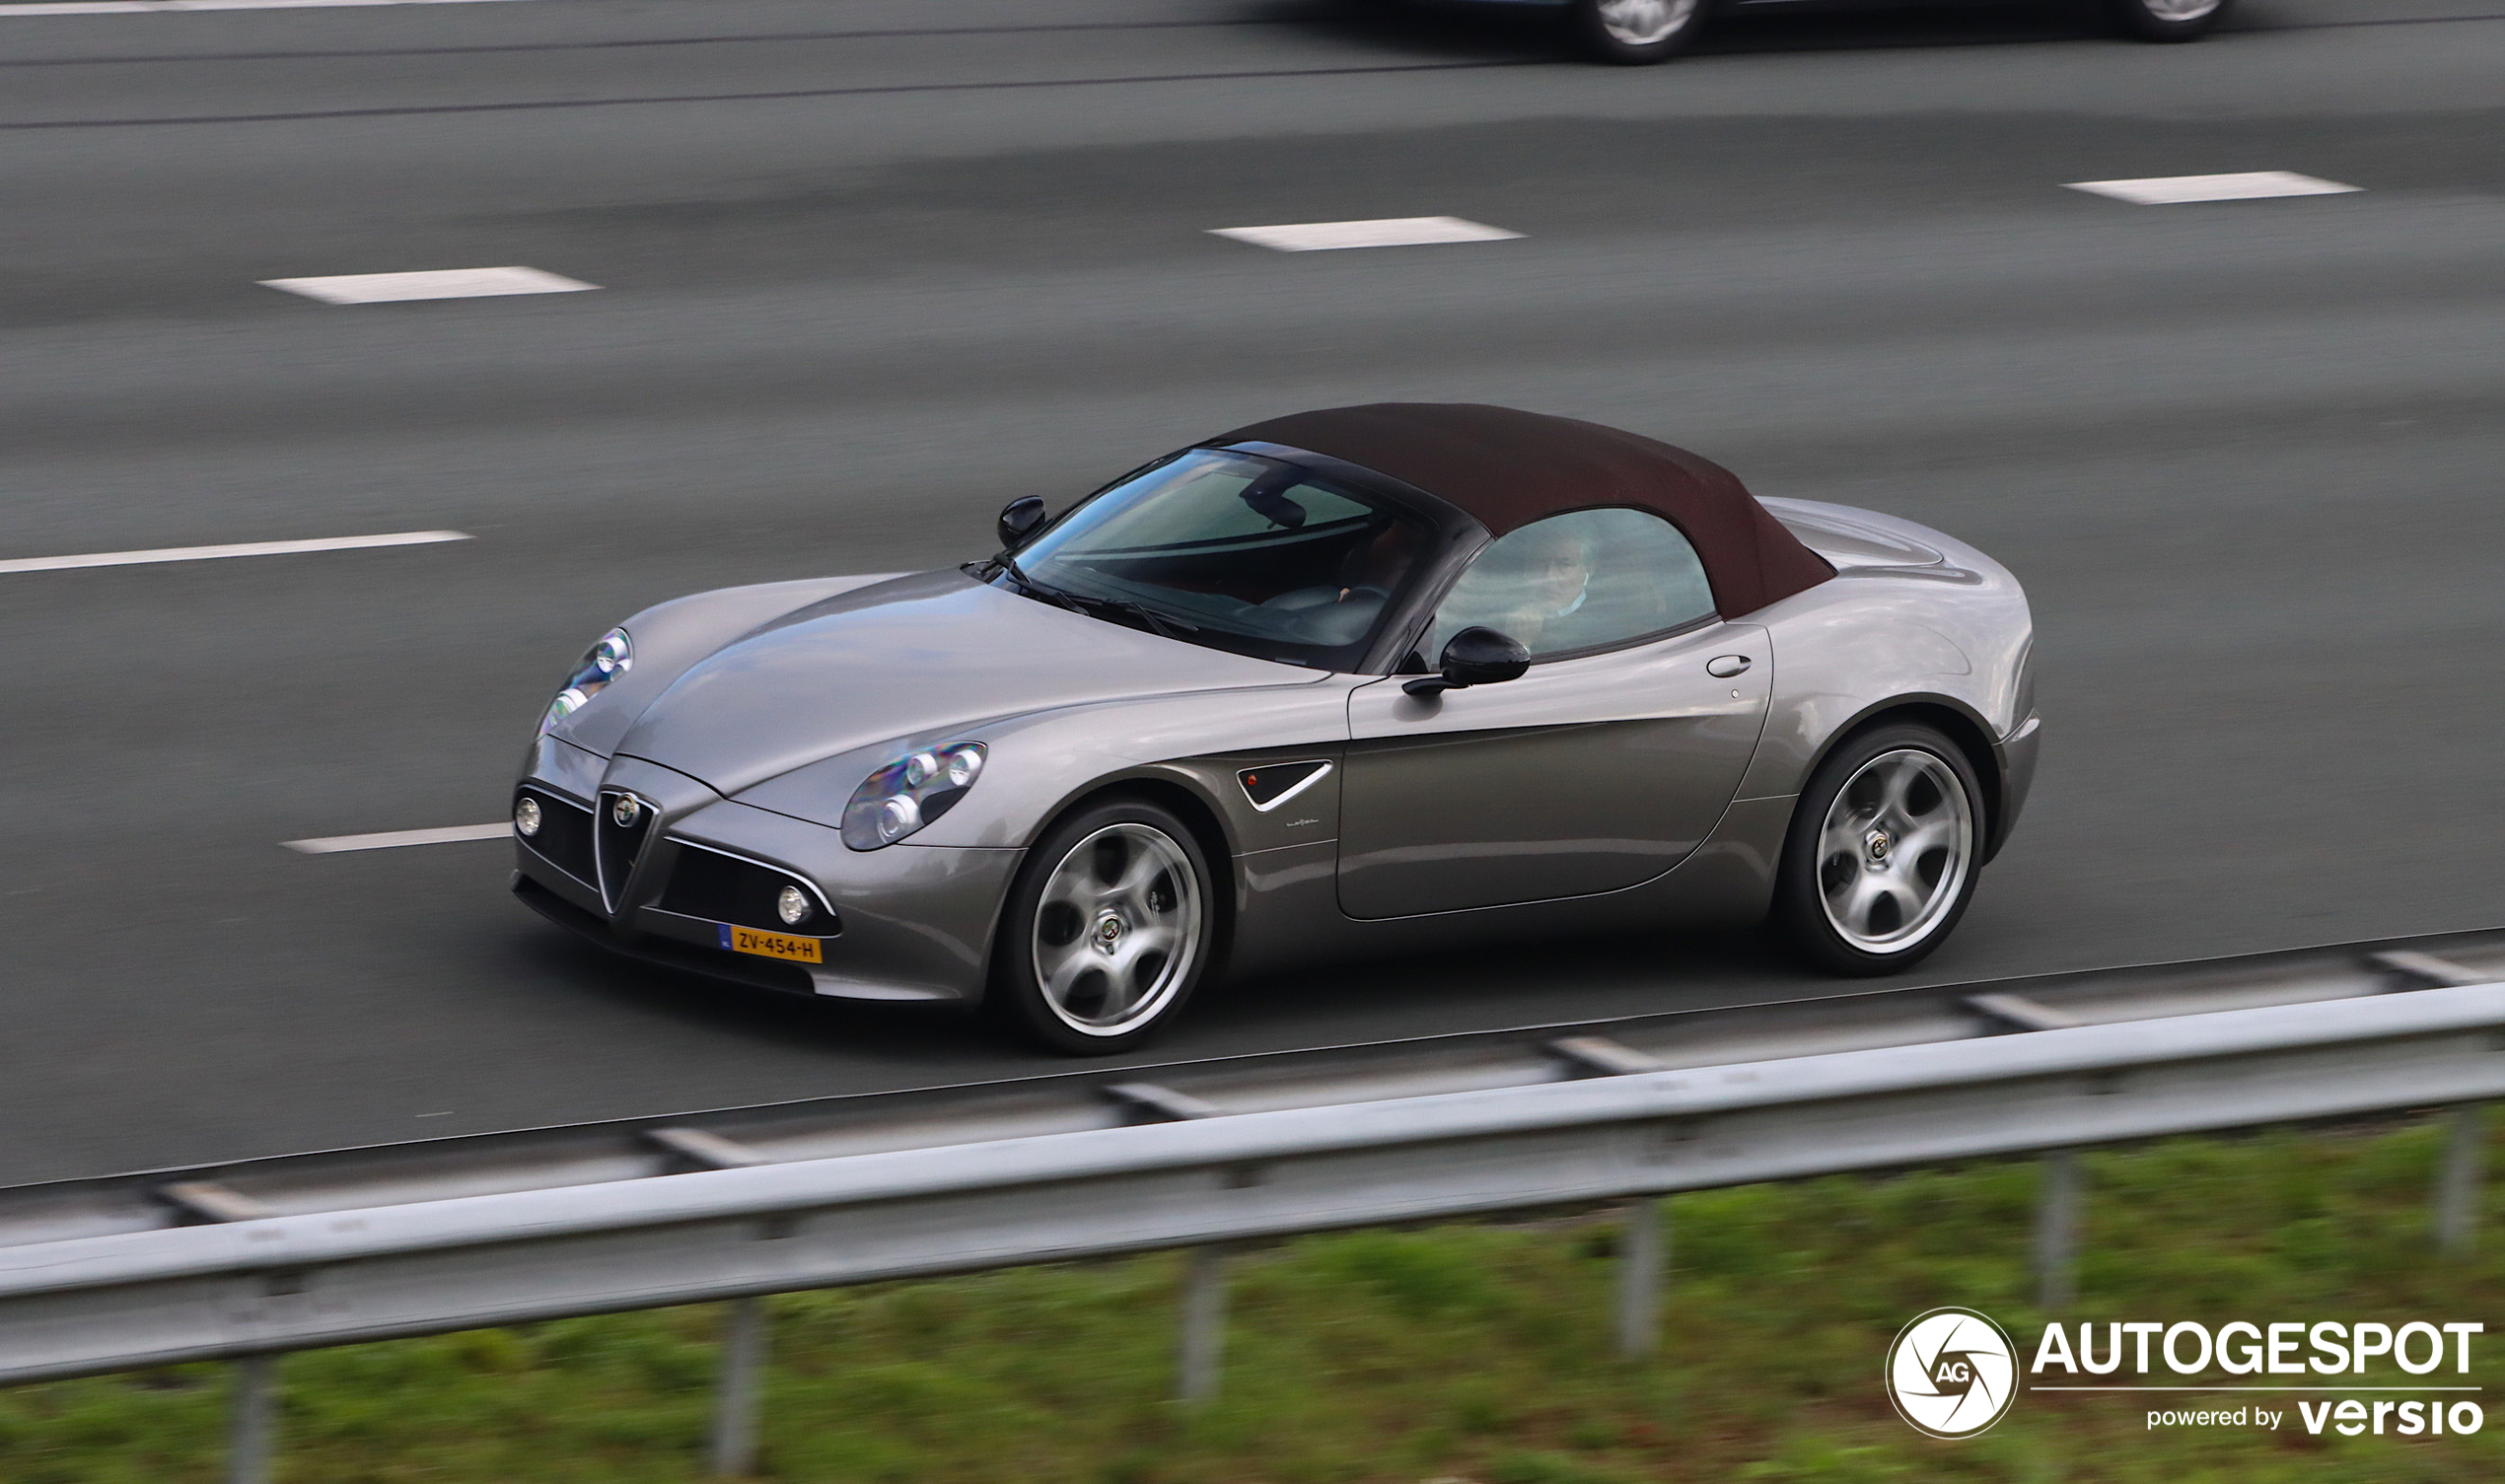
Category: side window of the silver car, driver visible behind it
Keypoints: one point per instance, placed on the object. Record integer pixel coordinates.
(1579, 582)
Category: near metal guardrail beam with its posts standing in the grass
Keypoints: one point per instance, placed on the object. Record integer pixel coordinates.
(264, 1285)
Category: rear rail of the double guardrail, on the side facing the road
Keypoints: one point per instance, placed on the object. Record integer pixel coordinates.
(1108, 1097)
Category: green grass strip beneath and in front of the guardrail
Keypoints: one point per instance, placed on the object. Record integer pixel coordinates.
(1464, 1353)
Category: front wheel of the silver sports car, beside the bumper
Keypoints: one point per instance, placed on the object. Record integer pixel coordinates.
(1108, 930)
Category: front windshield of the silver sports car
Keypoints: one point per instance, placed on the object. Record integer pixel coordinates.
(1234, 552)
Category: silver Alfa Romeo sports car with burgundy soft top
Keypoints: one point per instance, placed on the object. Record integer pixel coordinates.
(1336, 684)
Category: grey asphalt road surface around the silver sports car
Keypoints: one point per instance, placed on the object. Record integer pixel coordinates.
(873, 267)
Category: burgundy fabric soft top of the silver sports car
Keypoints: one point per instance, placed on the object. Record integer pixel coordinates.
(1512, 469)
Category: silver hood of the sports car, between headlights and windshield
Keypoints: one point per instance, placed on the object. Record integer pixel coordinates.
(906, 659)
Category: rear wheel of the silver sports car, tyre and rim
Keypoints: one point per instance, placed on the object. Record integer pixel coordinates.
(1883, 855)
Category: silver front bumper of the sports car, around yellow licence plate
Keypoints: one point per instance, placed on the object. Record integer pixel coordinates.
(908, 922)
